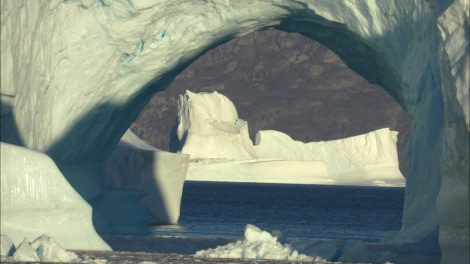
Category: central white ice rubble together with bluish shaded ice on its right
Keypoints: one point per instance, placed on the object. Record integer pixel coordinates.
(260, 244)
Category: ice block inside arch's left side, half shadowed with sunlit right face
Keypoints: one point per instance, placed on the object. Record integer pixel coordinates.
(159, 174)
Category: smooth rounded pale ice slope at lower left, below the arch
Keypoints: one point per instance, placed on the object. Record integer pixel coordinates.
(36, 200)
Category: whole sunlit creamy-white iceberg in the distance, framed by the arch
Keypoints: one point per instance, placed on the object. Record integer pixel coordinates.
(209, 126)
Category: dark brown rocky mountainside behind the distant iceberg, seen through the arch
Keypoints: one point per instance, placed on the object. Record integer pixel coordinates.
(285, 82)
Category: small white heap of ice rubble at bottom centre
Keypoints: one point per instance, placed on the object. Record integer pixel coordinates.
(258, 244)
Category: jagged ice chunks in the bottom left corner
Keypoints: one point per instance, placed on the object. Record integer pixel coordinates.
(43, 248)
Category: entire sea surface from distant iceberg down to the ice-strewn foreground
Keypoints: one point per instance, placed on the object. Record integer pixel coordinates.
(216, 213)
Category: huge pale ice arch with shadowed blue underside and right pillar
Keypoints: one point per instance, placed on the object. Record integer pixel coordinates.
(75, 74)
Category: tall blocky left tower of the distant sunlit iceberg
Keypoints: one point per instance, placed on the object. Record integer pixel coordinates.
(209, 127)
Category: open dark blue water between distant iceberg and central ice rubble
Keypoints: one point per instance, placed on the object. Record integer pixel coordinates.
(312, 211)
